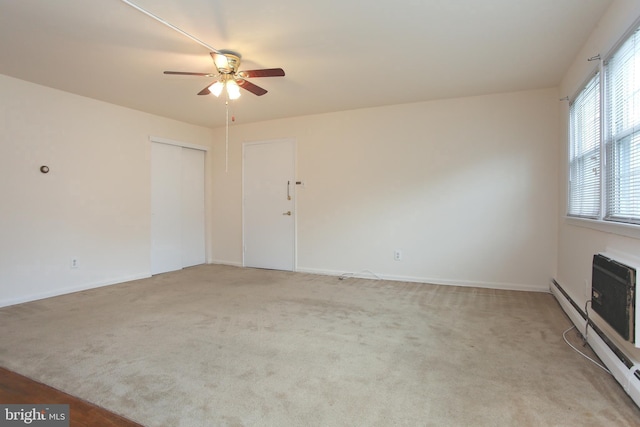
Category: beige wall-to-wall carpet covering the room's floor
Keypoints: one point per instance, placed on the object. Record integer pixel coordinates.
(226, 346)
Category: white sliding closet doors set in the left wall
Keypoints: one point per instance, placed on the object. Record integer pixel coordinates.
(177, 208)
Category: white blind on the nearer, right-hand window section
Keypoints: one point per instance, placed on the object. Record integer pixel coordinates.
(622, 135)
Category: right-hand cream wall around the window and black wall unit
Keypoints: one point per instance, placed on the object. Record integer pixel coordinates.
(580, 240)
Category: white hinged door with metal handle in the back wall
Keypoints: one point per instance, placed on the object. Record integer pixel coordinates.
(269, 205)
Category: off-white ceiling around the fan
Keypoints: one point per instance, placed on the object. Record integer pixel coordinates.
(338, 54)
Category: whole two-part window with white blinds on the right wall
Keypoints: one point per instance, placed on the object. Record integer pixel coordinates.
(614, 193)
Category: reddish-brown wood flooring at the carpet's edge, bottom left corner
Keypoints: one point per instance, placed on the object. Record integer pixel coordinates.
(15, 388)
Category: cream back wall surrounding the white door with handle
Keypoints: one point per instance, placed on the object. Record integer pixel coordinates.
(466, 188)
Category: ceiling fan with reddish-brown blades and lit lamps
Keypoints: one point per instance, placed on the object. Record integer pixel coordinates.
(227, 75)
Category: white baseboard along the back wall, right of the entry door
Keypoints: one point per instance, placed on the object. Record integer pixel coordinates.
(367, 274)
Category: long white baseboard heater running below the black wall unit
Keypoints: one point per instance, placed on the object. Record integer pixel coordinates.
(624, 370)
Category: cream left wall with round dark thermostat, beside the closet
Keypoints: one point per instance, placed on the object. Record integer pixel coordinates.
(94, 204)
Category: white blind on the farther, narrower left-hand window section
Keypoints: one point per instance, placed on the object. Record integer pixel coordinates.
(584, 152)
